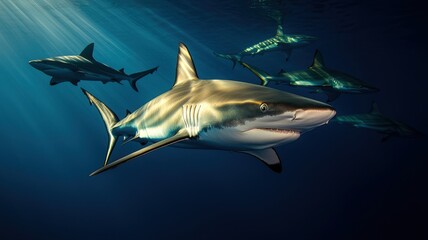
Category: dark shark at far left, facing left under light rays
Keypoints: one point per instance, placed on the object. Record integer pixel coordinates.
(84, 67)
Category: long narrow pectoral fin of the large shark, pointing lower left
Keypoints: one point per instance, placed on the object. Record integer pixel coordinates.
(180, 136)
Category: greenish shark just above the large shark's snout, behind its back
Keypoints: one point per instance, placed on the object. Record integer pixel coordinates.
(317, 76)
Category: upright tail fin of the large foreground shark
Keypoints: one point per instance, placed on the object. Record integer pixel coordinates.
(109, 117)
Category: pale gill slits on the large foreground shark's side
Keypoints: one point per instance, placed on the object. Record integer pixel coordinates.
(191, 116)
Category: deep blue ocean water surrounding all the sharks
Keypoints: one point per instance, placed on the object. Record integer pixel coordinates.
(338, 182)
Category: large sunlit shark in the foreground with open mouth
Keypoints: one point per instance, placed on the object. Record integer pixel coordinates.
(214, 114)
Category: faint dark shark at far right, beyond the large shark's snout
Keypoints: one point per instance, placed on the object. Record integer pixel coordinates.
(380, 123)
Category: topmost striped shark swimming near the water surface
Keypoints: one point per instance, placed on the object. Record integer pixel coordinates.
(279, 42)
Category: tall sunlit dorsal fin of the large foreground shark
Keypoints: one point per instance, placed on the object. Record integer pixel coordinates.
(185, 68)
